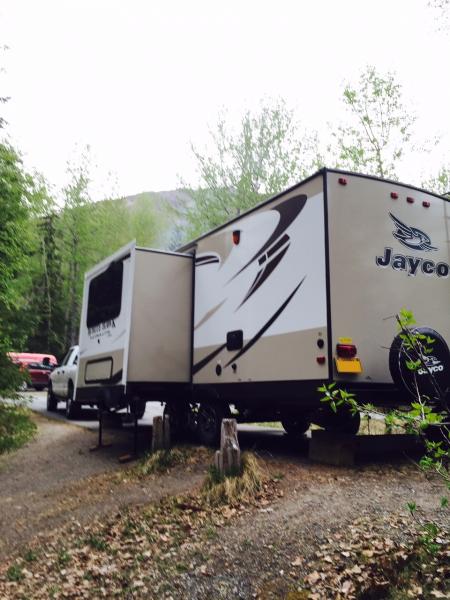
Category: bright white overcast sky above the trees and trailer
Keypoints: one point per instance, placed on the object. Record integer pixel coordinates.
(140, 80)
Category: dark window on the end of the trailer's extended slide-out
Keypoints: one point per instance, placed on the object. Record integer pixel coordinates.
(105, 295)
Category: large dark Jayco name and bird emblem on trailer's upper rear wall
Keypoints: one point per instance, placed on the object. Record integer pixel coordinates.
(415, 239)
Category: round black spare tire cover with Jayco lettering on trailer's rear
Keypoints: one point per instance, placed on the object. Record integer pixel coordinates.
(438, 362)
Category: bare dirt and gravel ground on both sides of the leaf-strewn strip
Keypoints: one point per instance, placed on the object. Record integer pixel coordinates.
(261, 552)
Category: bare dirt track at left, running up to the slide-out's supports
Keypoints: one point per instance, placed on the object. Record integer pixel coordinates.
(56, 478)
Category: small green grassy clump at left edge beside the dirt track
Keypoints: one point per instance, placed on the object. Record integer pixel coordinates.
(16, 427)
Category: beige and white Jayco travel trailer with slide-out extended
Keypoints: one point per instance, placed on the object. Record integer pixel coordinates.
(253, 316)
